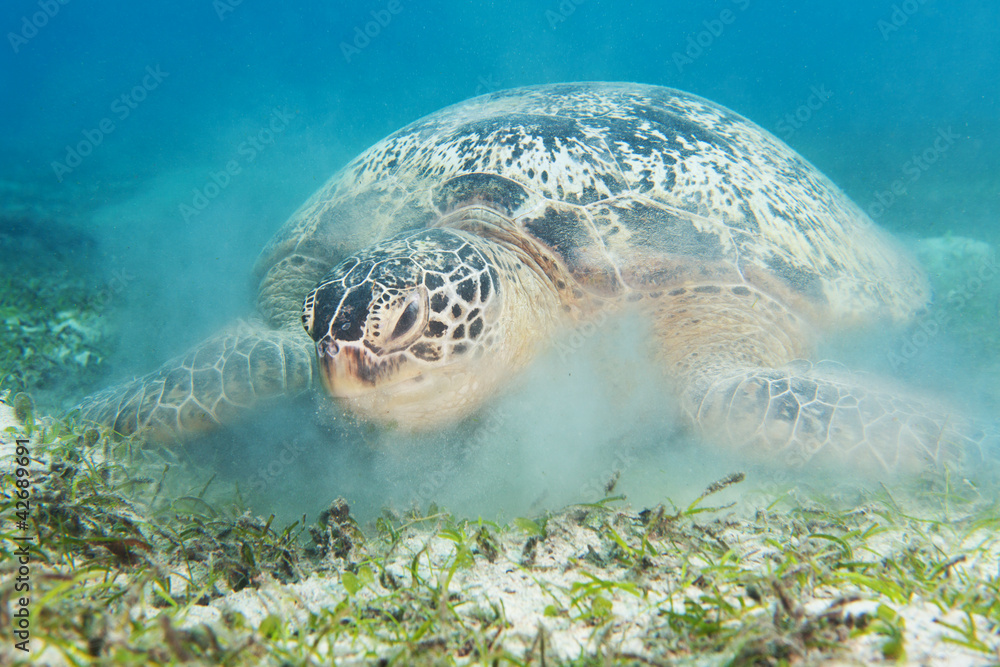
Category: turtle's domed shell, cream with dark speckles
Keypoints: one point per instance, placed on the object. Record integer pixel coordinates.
(631, 188)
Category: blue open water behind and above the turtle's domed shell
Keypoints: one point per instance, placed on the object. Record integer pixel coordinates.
(163, 96)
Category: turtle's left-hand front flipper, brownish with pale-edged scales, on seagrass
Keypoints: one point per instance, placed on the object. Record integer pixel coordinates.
(210, 385)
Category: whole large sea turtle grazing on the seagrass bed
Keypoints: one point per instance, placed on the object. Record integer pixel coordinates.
(435, 266)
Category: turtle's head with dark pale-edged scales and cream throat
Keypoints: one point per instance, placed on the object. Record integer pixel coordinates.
(406, 331)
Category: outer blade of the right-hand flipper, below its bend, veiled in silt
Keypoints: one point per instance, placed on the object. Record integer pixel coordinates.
(798, 415)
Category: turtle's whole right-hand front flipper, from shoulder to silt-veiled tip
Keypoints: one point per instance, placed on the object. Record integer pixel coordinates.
(736, 354)
